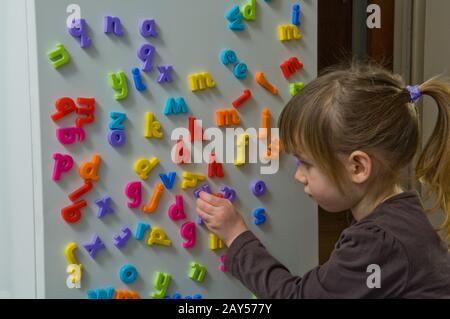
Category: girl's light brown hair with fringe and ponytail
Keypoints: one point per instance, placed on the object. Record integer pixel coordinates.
(365, 107)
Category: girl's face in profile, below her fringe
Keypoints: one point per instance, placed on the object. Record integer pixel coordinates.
(320, 188)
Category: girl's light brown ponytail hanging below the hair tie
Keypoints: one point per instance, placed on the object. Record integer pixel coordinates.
(433, 166)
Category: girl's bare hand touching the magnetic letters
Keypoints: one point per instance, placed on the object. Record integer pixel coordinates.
(220, 217)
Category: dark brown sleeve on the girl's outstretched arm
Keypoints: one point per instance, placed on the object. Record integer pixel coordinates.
(346, 274)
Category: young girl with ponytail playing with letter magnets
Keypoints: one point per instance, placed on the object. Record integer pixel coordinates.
(352, 131)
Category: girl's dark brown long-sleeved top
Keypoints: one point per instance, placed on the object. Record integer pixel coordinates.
(396, 236)
